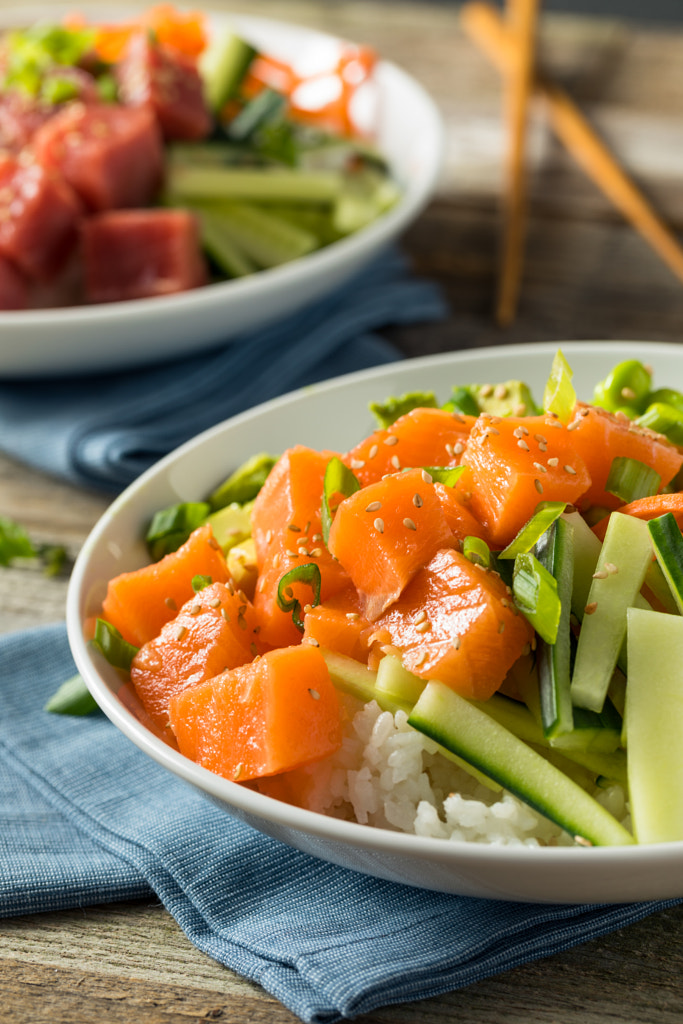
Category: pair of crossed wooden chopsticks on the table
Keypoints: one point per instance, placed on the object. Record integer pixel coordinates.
(510, 46)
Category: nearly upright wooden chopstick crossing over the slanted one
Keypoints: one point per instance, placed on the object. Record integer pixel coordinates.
(522, 18)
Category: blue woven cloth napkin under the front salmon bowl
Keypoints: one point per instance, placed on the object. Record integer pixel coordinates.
(87, 818)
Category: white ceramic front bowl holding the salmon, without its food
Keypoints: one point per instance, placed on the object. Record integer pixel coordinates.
(335, 415)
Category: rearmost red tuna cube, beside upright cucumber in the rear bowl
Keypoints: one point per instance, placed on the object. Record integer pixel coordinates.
(154, 74)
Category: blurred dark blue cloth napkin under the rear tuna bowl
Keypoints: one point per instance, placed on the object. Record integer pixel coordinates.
(102, 432)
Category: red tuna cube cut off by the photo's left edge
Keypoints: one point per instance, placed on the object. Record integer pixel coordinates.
(39, 219)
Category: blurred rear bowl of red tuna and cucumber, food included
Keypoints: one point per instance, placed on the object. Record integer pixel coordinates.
(179, 178)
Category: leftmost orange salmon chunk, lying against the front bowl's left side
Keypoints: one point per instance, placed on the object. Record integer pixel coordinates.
(139, 604)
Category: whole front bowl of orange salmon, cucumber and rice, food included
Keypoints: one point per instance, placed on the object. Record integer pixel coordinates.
(423, 622)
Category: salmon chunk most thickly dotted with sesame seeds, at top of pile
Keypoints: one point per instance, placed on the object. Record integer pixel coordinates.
(517, 463)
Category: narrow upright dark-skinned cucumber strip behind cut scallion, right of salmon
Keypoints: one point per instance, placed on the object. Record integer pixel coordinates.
(556, 552)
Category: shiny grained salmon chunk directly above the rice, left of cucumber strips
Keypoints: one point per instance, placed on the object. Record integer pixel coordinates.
(456, 622)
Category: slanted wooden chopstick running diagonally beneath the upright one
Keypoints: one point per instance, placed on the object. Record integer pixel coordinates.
(486, 28)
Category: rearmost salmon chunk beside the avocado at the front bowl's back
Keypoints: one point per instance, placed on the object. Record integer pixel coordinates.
(421, 438)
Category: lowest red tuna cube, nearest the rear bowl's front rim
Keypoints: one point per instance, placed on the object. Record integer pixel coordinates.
(134, 254)
